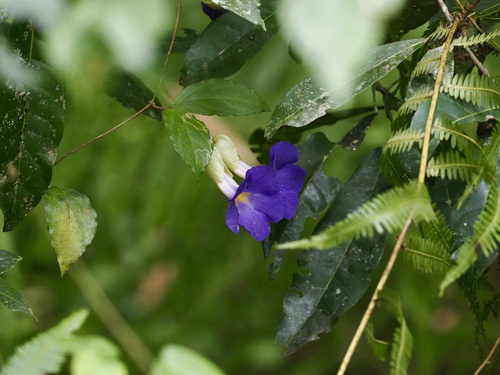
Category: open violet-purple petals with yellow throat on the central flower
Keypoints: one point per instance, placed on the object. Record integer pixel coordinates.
(268, 193)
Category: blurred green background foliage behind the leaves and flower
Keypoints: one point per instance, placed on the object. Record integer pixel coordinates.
(166, 259)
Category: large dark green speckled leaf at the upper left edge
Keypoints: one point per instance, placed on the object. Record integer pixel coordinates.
(31, 126)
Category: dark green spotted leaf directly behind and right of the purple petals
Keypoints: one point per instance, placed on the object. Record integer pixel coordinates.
(319, 191)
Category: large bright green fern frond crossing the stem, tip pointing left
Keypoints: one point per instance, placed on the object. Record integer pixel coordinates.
(388, 211)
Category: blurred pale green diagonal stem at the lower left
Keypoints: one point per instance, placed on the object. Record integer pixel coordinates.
(110, 316)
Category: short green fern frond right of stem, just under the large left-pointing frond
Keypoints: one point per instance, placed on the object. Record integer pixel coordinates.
(426, 255)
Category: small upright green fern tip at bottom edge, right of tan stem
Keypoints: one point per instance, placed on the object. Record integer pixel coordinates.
(402, 345)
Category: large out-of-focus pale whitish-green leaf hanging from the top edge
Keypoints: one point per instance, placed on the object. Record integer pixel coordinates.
(327, 44)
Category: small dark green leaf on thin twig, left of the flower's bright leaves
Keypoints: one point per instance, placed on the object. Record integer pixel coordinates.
(132, 93)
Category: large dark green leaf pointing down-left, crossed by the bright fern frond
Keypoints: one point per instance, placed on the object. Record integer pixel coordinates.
(336, 278)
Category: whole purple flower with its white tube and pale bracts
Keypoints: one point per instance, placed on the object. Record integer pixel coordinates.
(267, 194)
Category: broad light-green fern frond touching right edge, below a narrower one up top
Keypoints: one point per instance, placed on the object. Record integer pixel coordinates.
(480, 90)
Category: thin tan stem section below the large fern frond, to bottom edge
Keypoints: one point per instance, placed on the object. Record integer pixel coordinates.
(371, 306)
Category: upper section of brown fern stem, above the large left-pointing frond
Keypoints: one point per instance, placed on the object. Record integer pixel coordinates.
(432, 108)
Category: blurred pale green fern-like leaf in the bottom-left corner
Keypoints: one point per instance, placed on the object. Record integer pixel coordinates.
(45, 353)
